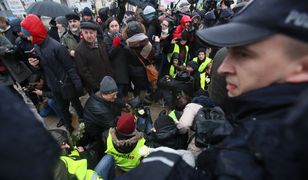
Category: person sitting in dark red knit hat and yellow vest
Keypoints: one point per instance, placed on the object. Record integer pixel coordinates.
(122, 144)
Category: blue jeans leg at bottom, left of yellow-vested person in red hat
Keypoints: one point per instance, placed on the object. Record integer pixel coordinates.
(106, 167)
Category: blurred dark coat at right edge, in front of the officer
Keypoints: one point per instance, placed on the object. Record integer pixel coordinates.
(294, 143)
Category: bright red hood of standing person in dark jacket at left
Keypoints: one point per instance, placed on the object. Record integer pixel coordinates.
(35, 27)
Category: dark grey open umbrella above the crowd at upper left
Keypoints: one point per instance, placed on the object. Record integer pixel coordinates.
(48, 8)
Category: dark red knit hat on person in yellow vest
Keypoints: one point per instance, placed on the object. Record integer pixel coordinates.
(126, 124)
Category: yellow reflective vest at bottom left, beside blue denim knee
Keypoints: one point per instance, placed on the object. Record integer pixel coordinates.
(79, 167)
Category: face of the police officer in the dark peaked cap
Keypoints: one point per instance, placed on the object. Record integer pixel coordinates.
(257, 65)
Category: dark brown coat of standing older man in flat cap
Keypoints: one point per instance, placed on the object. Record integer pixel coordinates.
(93, 64)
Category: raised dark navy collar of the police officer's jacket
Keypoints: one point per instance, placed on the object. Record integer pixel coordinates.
(268, 99)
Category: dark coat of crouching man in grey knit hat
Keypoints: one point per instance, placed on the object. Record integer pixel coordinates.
(100, 115)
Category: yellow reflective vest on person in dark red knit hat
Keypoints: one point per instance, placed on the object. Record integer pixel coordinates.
(128, 161)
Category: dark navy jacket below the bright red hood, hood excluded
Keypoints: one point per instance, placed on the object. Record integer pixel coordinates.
(57, 65)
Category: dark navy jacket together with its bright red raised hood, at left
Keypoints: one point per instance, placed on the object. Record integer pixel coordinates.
(55, 61)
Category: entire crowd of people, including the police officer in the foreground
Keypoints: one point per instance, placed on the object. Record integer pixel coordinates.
(233, 81)
